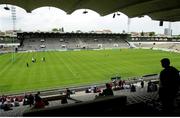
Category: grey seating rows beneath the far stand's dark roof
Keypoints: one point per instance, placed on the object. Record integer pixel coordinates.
(72, 43)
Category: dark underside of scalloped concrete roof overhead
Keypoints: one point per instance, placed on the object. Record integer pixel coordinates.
(163, 10)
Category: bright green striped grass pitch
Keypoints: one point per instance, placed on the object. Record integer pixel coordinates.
(73, 68)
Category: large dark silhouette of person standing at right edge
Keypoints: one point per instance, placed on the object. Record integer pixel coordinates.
(169, 85)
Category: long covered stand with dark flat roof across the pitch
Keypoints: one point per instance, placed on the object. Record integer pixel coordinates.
(47, 41)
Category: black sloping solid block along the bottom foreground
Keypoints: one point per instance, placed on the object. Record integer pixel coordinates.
(100, 107)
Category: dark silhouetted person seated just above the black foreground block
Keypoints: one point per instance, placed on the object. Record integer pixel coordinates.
(108, 91)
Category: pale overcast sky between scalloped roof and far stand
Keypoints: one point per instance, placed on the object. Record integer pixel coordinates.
(46, 18)
